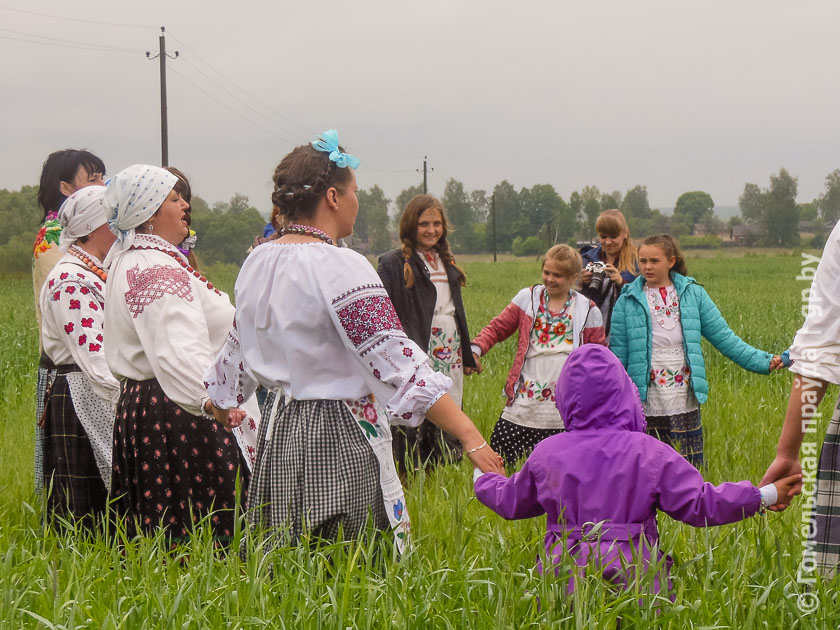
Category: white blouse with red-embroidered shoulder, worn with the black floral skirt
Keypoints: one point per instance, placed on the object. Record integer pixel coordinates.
(163, 322)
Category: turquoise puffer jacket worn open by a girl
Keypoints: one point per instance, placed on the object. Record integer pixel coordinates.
(631, 334)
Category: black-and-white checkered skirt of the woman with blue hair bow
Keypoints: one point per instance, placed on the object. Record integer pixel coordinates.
(315, 472)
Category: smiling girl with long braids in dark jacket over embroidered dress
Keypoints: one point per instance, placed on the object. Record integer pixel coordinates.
(424, 284)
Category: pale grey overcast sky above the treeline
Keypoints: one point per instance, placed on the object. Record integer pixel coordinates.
(675, 96)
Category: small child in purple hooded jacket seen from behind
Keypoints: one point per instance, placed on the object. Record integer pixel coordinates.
(605, 468)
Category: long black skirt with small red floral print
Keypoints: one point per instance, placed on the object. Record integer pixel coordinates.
(172, 469)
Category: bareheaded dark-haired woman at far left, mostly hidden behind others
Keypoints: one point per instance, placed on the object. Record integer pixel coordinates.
(64, 172)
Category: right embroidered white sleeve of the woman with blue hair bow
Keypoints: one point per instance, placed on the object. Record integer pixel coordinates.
(395, 368)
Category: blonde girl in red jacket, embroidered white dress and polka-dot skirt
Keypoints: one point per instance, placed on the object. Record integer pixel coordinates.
(552, 319)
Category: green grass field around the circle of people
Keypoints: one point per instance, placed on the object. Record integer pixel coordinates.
(467, 568)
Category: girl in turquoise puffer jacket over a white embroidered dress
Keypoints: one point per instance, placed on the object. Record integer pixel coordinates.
(657, 325)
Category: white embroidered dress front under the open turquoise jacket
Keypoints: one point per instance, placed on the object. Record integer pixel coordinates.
(669, 391)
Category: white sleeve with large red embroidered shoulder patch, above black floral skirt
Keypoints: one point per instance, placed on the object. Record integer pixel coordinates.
(173, 331)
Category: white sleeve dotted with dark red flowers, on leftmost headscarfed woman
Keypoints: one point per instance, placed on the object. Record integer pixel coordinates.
(73, 305)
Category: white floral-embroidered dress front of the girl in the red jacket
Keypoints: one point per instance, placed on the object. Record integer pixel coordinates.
(551, 341)
